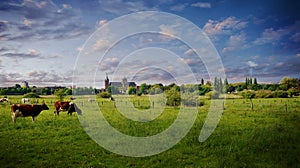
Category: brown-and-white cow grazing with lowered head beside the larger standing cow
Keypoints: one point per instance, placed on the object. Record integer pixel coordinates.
(66, 106)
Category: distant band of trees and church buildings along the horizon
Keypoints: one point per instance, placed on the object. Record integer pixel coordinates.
(287, 87)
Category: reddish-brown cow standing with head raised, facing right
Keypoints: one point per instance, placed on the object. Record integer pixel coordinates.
(26, 110)
